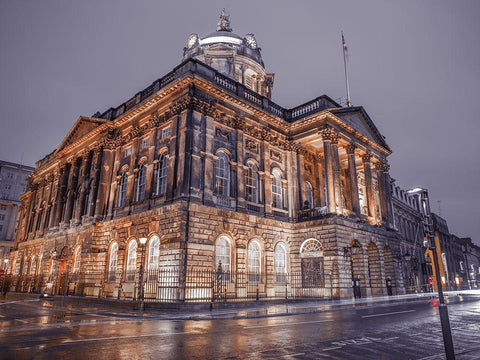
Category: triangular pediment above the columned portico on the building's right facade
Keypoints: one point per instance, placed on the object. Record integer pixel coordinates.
(357, 118)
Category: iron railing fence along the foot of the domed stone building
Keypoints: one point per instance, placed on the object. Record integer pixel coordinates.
(171, 285)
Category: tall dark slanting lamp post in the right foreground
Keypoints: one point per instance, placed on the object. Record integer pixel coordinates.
(444, 320)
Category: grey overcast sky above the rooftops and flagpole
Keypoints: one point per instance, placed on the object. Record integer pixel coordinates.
(414, 66)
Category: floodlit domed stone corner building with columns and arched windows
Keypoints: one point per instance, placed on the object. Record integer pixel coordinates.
(236, 196)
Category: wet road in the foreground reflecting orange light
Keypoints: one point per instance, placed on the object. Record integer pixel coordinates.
(33, 330)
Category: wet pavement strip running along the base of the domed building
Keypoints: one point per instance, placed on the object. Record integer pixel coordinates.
(230, 310)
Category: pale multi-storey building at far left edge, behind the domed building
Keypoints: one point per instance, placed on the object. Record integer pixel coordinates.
(13, 179)
